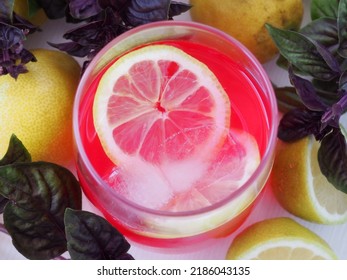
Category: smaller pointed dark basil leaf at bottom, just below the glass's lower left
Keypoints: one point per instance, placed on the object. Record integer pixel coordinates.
(91, 237)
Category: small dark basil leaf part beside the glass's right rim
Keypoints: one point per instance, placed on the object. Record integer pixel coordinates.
(287, 99)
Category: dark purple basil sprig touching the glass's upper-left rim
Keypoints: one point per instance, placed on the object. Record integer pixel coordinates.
(106, 19)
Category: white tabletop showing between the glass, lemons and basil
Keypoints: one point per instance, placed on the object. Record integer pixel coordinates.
(267, 206)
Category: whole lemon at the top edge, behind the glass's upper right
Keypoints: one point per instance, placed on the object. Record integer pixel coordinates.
(245, 20)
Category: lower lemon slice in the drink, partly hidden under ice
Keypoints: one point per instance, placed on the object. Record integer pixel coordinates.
(228, 170)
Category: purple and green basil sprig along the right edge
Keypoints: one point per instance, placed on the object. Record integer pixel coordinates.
(316, 60)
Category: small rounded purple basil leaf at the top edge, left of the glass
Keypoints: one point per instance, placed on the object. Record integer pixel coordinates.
(83, 9)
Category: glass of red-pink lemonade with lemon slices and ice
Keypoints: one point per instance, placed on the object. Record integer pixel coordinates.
(175, 127)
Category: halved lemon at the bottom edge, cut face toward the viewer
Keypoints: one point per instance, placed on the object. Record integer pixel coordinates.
(279, 239)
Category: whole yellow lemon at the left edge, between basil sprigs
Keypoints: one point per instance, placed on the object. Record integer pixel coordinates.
(37, 107)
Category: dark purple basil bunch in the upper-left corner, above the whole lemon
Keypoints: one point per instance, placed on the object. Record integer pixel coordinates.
(99, 21)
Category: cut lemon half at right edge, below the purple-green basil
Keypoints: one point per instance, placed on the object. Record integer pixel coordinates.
(301, 188)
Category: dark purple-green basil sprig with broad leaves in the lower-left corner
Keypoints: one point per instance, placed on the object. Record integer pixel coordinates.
(41, 206)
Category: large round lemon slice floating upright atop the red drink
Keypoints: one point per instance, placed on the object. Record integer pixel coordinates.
(160, 104)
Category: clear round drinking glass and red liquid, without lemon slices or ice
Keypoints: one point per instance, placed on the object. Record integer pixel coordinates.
(252, 102)
